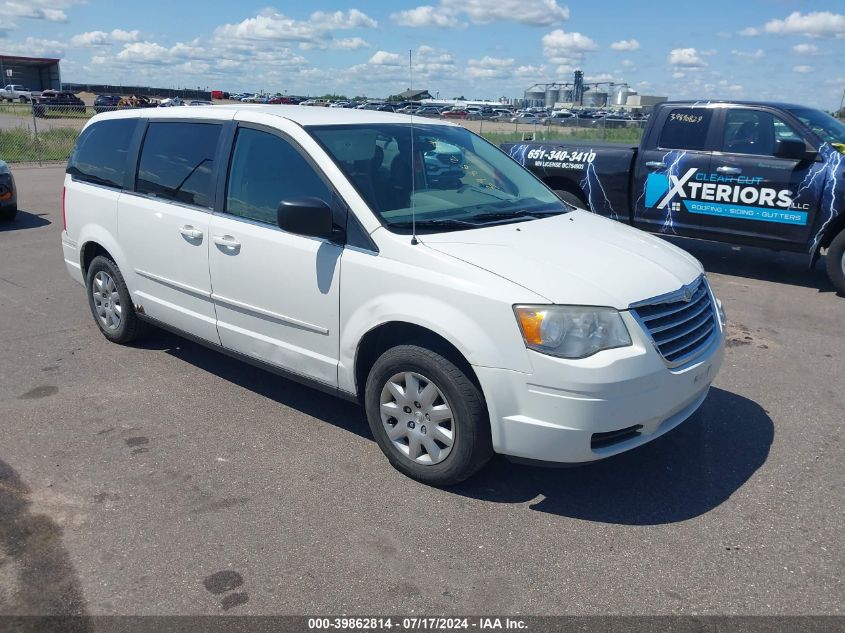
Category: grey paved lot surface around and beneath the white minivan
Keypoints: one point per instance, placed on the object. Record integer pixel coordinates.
(166, 479)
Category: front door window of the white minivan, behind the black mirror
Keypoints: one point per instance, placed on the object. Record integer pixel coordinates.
(265, 170)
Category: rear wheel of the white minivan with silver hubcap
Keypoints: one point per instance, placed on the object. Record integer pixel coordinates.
(110, 303)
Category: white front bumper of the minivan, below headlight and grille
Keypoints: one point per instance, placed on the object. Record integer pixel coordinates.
(584, 410)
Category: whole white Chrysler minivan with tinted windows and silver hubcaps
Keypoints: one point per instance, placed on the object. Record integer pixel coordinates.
(406, 264)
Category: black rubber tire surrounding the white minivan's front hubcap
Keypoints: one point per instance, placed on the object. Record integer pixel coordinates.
(472, 446)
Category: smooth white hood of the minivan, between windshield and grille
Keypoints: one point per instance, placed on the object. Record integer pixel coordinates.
(577, 258)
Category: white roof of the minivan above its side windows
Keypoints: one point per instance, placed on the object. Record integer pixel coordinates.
(302, 115)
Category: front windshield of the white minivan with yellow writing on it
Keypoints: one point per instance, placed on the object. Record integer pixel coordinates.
(443, 178)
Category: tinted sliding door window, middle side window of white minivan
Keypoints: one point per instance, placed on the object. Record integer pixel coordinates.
(177, 161)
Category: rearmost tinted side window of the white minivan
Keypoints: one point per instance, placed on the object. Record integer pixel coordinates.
(101, 151)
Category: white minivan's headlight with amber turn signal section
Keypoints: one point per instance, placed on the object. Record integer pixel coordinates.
(571, 331)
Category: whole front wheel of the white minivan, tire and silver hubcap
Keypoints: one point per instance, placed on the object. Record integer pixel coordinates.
(427, 416)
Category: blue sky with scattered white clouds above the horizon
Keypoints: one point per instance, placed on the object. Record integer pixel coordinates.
(757, 49)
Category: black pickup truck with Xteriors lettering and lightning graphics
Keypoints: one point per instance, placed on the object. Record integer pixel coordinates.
(761, 174)
